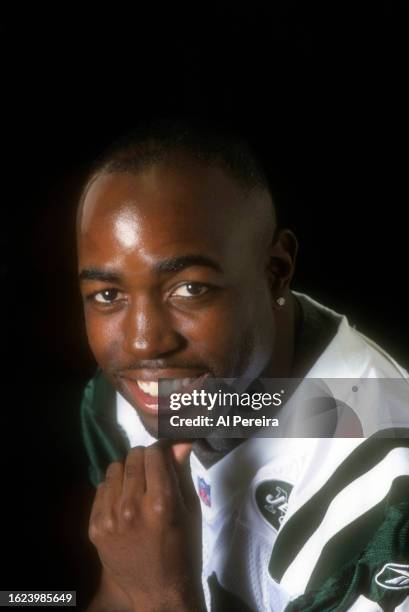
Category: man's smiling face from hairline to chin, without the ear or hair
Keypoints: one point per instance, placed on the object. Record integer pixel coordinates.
(173, 280)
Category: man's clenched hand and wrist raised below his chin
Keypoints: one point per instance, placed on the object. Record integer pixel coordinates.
(146, 525)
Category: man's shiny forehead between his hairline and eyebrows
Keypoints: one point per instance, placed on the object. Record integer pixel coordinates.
(164, 210)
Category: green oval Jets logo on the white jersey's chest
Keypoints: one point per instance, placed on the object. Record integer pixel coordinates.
(272, 500)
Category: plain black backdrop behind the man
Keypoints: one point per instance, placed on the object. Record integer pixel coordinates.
(320, 92)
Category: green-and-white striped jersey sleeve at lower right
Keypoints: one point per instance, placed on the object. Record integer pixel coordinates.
(349, 548)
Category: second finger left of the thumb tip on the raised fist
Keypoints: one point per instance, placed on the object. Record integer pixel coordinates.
(134, 483)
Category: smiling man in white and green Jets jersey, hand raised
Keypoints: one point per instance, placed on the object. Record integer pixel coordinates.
(185, 273)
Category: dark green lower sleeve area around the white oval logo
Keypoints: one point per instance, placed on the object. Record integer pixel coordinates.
(380, 571)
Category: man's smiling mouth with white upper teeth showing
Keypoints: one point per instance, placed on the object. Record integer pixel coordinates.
(146, 393)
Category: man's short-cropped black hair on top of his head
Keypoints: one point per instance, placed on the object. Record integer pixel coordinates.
(202, 140)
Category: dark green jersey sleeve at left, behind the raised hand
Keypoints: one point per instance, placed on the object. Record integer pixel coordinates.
(103, 438)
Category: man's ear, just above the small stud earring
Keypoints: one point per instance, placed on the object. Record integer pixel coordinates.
(281, 262)
